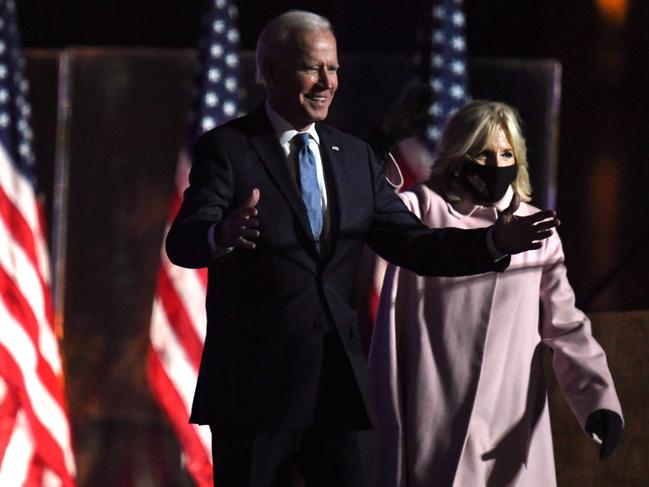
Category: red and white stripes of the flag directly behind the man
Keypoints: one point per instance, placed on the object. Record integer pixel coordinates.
(177, 334)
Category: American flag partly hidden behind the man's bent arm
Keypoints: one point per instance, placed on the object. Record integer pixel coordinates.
(178, 318)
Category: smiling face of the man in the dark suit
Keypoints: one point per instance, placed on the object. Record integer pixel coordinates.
(302, 83)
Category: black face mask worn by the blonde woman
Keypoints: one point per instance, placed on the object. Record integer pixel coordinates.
(496, 180)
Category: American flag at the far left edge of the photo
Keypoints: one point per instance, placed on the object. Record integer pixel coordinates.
(35, 446)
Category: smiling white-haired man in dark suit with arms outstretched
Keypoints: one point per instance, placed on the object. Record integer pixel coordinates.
(280, 219)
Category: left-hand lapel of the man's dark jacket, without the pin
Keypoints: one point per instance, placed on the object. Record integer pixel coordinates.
(272, 156)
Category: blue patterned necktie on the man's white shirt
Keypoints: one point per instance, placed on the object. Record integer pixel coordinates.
(309, 184)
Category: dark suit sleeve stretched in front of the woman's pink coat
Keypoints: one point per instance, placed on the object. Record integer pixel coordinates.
(400, 237)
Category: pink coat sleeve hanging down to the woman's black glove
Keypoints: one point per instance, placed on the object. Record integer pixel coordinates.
(578, 359)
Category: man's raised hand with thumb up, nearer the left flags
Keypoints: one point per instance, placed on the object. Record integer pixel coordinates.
(239, 228)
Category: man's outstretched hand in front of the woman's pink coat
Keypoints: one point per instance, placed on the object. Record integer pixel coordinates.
(514, 234)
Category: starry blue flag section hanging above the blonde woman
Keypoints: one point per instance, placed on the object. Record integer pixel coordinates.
(443, 63)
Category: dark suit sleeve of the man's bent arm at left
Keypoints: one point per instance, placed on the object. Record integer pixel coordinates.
(205, 201)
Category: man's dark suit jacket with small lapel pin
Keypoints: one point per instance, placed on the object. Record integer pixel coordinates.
(268, 308)
